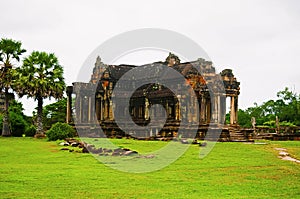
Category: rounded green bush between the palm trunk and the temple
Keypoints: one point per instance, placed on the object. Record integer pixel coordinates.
(60, 131)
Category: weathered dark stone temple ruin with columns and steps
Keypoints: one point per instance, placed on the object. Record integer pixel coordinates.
(94, 104)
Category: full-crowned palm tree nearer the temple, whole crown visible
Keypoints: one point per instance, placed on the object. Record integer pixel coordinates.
(41, 77)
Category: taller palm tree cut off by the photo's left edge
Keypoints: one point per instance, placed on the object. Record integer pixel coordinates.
(10, 51)
